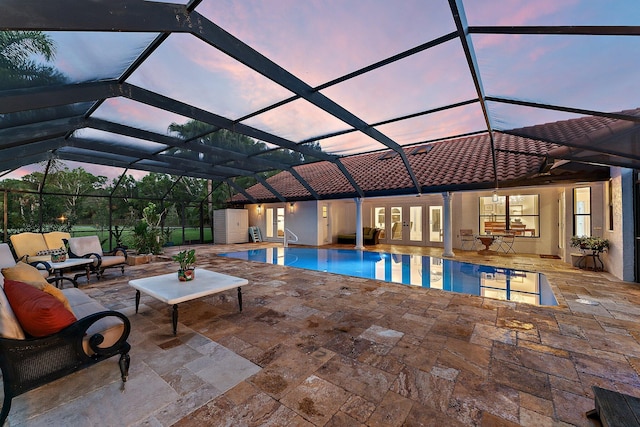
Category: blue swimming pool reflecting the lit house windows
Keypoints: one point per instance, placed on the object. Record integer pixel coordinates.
(413, 270)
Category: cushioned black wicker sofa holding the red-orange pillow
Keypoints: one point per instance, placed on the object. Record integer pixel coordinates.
(47, 333)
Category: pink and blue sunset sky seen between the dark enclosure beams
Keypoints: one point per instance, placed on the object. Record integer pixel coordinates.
(318, 41)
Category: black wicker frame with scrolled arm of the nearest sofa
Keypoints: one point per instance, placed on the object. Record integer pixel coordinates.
(30, 363)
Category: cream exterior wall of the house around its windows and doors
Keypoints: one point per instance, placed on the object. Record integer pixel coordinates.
(308, 223)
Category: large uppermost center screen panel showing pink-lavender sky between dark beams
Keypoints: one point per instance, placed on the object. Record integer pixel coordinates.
(321, 41)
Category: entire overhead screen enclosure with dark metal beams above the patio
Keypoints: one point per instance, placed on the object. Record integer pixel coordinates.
(361, 77)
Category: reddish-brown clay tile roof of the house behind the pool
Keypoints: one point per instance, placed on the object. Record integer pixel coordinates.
(452, 165)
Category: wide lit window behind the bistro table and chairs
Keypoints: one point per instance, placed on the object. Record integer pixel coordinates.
(519, 214)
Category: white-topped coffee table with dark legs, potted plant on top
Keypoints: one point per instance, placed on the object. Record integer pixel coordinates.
(168, 289)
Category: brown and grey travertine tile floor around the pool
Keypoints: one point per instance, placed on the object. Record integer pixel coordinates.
(315, 349)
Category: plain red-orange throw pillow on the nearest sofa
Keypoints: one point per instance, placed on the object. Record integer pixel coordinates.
(39, 313)
